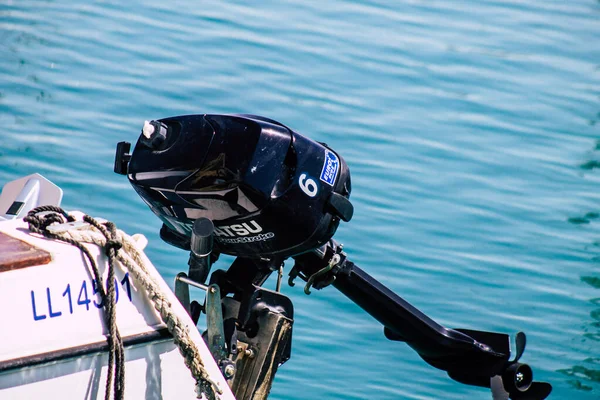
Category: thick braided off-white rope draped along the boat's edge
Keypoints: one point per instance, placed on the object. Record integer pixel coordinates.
(132, 258)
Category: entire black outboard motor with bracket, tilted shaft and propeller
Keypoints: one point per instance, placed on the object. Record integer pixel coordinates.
(264, 193)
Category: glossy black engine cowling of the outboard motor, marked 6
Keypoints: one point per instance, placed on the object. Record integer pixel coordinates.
(269, 190)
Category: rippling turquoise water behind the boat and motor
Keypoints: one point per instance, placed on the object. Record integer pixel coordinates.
(471, 130)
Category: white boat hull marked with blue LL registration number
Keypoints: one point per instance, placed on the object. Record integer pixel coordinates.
(53, 333)
